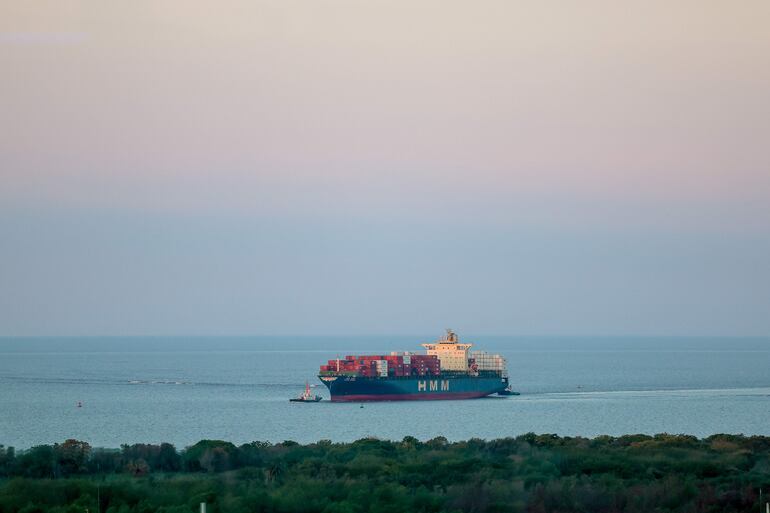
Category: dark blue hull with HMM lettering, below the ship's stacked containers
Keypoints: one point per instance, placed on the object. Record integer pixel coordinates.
(433, 388)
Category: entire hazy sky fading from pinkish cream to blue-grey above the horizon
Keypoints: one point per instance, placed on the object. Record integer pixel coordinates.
(385, 167)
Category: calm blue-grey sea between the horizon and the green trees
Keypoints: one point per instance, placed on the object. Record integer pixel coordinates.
(181, 390)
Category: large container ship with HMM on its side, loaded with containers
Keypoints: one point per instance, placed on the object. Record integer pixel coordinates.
(447, 369)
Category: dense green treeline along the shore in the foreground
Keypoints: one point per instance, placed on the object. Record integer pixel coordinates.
(529, 473)
